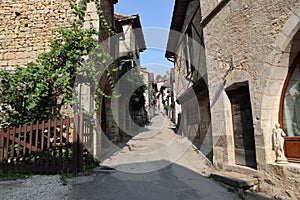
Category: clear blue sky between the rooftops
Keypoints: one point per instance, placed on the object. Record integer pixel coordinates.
(153, 14)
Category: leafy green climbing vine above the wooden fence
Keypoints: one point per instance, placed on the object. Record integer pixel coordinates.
(38, 91)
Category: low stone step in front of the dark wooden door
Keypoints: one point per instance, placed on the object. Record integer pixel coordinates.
(235, 179)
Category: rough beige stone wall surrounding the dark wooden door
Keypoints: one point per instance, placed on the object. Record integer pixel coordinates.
(239, 42)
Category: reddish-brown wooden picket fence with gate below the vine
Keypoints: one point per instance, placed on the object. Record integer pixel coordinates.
(48, 147)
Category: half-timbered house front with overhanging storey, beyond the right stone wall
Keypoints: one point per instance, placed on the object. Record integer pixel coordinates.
(192, 92)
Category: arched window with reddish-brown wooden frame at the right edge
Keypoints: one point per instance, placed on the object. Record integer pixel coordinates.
(290, 101)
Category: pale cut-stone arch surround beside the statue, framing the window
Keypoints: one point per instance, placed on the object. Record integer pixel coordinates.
(286, 48)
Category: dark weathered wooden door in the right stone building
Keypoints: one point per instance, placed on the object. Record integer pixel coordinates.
(243, 127)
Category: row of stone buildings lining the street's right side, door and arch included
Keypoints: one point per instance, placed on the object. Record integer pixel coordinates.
(238, 62)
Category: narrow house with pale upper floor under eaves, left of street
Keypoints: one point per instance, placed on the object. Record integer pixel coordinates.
(131, 44)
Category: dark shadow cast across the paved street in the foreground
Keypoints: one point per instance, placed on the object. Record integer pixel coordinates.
(173, 182)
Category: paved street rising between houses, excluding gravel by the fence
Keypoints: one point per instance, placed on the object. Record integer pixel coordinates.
(162, 166)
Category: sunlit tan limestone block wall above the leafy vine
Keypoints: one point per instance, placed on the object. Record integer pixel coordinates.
(25, 28)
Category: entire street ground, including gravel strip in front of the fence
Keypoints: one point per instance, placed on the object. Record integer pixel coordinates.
(155, 164)
